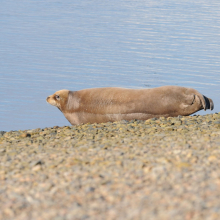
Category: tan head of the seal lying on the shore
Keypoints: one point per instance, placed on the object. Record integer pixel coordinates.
(59, 99)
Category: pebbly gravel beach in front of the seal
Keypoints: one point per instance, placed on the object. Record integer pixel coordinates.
(166, 168)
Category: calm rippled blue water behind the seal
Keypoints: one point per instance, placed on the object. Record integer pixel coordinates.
(50, 45)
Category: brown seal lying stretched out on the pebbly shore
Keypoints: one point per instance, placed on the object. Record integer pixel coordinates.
(111, 104)
